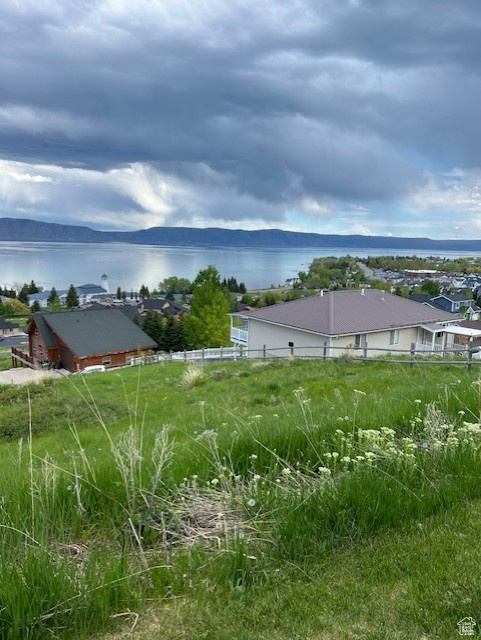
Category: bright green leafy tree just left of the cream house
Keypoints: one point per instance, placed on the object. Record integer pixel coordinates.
(207, 323)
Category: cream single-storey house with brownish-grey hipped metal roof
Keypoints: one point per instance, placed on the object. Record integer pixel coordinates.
(332, 323)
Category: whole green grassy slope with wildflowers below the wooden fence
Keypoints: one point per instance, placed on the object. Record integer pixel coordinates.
(304, 499)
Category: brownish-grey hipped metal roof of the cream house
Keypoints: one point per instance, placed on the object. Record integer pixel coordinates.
(349, 312)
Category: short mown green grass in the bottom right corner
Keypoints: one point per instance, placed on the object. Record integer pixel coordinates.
(414, 582)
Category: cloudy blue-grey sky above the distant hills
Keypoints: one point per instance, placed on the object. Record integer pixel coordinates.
(331, 116)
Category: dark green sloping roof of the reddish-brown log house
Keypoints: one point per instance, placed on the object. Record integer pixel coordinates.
(89, 333)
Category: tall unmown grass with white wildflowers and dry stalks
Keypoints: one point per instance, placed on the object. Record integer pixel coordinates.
(226, 495)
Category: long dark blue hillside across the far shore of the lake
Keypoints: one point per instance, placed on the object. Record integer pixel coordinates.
(33, 231)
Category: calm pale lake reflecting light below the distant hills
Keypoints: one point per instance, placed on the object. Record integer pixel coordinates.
(129, 265)
